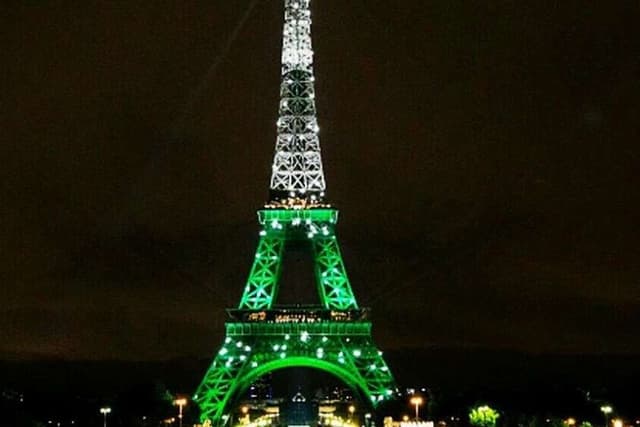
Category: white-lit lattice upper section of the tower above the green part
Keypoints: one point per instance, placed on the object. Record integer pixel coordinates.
(297, 177)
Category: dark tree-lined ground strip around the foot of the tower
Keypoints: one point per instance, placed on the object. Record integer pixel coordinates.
(528, 390)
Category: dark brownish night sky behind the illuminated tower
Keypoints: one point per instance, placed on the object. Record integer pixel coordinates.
(484, 155)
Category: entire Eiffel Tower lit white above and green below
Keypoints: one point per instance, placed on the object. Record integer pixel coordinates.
(261, 336)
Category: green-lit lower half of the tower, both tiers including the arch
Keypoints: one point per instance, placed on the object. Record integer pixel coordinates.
(334, 336)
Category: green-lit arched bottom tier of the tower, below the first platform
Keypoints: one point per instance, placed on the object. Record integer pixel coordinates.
(251, 350)
